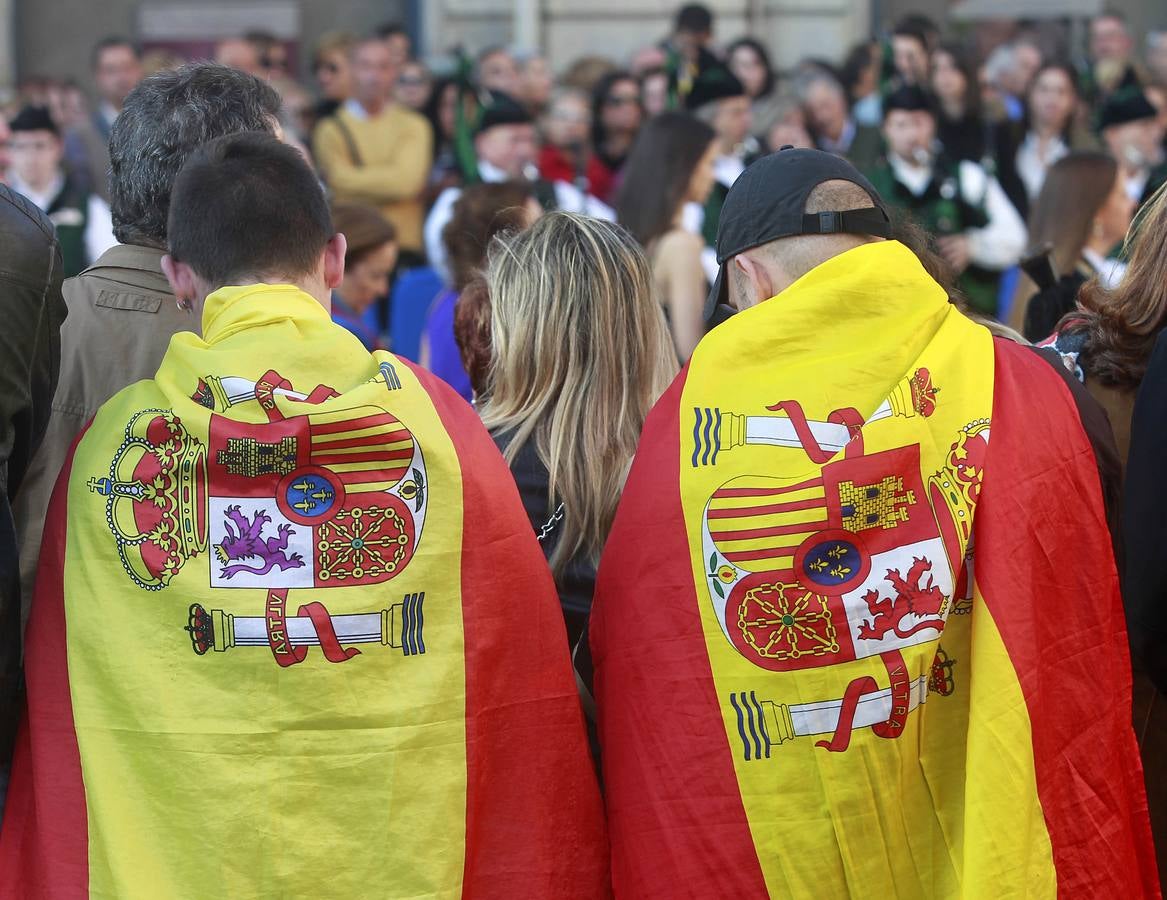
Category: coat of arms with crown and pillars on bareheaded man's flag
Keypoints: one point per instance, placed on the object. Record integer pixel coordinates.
(332, 498)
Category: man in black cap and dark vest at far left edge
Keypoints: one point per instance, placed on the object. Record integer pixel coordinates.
(38, 173)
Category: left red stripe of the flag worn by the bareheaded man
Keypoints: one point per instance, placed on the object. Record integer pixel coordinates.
(45, 839)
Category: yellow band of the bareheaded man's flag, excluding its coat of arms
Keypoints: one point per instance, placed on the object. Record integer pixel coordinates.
(226, 775)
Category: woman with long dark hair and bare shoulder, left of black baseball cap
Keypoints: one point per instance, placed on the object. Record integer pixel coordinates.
(672, 165)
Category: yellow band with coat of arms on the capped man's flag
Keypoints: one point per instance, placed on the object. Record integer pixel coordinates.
(918, 814)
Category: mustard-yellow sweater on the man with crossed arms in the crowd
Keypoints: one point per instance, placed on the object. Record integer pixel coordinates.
(396, 151)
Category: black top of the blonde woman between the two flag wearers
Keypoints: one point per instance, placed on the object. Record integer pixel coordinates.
(578, 582)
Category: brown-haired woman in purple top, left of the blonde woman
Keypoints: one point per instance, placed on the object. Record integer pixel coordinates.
(481, 212)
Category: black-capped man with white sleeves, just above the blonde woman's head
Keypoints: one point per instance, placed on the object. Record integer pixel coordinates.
(506, 144)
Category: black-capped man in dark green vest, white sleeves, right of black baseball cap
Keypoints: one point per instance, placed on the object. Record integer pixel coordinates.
(979, 229)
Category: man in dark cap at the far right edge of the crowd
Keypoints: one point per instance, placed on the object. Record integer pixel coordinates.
(1129, 124)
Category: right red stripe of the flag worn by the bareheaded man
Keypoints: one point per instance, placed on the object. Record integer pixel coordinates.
(532, 785)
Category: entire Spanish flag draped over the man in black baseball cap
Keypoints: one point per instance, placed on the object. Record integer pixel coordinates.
(875, 645)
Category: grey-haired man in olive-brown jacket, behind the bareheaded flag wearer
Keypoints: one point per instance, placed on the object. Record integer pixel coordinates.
(122, 312)
